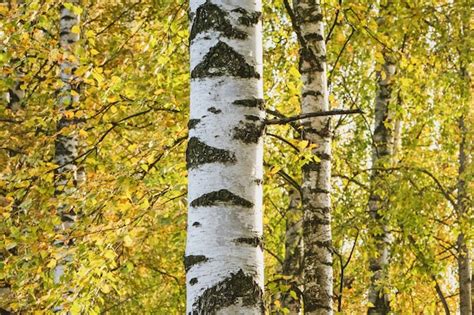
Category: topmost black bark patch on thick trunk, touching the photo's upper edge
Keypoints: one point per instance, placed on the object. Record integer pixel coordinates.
(210, 16)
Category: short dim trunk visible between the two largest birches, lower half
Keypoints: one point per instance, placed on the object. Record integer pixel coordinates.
(293, 263)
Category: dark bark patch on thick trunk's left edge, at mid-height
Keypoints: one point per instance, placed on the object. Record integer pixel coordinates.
(199, 153)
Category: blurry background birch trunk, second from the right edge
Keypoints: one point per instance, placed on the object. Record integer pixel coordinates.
(382, 151)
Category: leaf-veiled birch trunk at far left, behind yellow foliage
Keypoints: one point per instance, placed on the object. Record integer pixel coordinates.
(66, 147)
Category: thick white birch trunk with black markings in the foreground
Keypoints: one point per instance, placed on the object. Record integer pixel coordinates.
(224, 256)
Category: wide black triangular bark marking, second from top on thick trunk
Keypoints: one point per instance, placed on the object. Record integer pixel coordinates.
(223, 60)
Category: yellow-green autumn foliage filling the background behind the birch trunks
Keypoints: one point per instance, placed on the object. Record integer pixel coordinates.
(128, 241)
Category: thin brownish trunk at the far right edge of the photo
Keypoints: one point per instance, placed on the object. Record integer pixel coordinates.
(464, 261)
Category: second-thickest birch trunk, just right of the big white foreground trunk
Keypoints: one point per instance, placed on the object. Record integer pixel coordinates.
(316, 186)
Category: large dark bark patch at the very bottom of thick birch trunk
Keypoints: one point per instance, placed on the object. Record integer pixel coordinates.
(238, 287)
